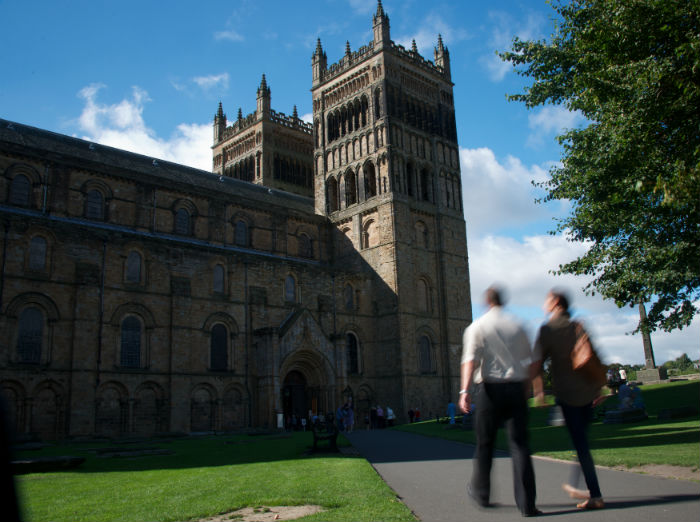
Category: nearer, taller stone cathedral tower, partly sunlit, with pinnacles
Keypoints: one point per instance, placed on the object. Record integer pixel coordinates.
(387, 176)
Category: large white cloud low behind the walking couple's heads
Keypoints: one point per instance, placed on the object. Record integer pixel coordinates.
(523, 265)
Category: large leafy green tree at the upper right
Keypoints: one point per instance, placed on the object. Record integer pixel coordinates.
(632, 172)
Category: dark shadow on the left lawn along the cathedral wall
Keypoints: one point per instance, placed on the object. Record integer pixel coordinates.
(201, 452)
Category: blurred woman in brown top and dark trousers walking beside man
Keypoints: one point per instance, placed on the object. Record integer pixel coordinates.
(574, 391)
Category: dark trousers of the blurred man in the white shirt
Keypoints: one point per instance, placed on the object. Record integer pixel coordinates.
(497, 403)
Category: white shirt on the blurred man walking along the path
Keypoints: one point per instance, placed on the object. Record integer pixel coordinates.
(500, 347)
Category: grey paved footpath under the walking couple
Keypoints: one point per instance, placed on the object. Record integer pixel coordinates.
(430, 475)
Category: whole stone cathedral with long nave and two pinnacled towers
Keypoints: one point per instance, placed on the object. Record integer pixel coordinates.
(316, 264)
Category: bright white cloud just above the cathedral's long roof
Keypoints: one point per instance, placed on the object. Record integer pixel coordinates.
(121, 125)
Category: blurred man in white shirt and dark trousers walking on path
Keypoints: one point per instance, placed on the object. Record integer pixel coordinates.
(496, 357)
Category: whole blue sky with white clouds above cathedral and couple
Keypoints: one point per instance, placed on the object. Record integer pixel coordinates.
(147, 76)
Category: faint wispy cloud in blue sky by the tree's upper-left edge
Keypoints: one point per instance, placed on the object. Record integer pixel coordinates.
(503, 30)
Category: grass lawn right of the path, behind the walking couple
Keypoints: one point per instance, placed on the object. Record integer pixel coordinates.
(652, 441)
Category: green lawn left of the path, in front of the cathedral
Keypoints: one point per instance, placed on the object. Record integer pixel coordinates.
(206, 477)
